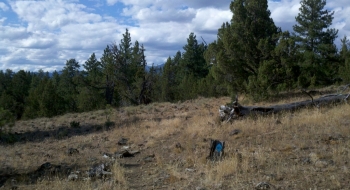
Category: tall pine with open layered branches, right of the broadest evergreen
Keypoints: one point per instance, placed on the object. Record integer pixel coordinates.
(316, 40)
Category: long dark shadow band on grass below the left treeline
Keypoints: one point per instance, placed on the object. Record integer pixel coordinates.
(61, 132)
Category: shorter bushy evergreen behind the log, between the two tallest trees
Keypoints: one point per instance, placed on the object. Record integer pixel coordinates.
(278, 73)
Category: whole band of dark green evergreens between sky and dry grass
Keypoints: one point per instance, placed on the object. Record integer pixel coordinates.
(251, 56)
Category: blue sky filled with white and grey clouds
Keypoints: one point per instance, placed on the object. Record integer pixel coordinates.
(44, 34)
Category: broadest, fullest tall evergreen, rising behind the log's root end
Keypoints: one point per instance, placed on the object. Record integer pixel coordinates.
(237, 53)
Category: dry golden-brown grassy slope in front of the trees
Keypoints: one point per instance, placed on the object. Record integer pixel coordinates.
(308, 149)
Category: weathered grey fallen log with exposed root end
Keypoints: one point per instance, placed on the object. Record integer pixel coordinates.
(236, 110)
